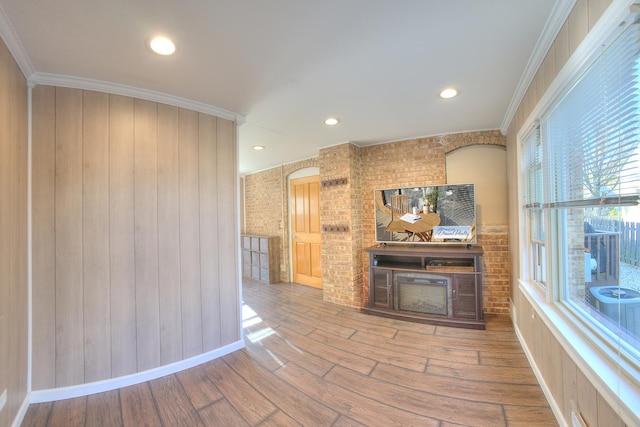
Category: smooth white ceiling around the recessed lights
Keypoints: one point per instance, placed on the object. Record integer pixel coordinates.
(285, 65)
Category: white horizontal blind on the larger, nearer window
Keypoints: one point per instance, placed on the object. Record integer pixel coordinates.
(592, 134)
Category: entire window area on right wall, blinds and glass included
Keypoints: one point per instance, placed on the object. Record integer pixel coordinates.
(582, 176)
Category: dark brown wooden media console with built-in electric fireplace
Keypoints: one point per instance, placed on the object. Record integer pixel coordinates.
(440, 284)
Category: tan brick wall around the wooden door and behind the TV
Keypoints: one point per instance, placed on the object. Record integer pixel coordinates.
(419, 161)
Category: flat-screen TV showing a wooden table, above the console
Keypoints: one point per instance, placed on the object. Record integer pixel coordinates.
(434, 214)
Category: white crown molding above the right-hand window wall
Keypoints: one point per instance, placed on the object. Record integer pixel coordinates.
(559, 15)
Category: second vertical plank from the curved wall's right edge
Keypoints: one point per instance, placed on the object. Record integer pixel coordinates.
(209, 233)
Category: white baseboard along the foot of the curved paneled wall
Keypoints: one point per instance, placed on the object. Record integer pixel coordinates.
(70, 392)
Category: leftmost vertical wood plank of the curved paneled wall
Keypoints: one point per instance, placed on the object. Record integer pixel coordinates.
(43, 237)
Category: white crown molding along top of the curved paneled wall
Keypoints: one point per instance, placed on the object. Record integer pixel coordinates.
(134, 92)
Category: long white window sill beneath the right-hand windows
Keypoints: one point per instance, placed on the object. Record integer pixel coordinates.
(615, 379)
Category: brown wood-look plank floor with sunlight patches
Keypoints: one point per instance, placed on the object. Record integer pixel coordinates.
(311, 363)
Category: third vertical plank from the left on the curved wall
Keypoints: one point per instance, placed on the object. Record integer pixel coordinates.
(95, 234)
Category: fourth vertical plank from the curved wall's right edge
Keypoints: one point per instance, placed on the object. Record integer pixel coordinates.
(169, 235)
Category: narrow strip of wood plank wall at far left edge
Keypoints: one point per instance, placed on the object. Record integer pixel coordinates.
(13, 235)
